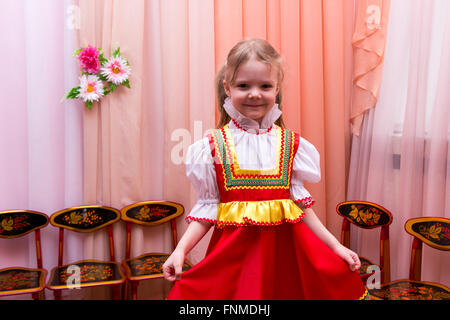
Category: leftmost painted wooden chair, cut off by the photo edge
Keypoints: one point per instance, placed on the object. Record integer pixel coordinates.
(19, 280)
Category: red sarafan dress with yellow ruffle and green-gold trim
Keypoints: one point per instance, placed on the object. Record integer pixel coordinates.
(260, 249)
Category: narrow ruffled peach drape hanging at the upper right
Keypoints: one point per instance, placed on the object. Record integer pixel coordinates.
(369, 41)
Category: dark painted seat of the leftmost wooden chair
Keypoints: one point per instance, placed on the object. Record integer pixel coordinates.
(21, 280)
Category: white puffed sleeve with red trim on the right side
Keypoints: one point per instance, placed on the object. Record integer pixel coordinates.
(306, 167)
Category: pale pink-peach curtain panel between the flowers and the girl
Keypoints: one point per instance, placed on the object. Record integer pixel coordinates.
(134, 140)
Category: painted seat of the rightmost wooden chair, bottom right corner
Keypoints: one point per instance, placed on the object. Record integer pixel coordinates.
(410, 290)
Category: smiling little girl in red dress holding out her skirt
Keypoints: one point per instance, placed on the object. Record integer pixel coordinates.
(267, 241)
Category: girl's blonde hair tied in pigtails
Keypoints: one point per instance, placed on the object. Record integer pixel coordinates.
(239, 54)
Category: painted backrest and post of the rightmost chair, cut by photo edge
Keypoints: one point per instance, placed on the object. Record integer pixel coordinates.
(435, 232)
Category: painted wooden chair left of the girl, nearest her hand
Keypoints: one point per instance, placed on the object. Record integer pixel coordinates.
(148, 265)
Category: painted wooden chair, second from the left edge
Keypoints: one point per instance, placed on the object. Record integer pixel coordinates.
(88, 273)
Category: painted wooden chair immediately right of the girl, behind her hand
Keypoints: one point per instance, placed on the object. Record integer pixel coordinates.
(367, 215)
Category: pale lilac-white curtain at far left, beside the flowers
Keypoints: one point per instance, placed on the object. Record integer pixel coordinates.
(40, 137)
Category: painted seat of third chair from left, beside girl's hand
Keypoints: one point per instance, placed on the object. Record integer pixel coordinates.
(148, 266)
